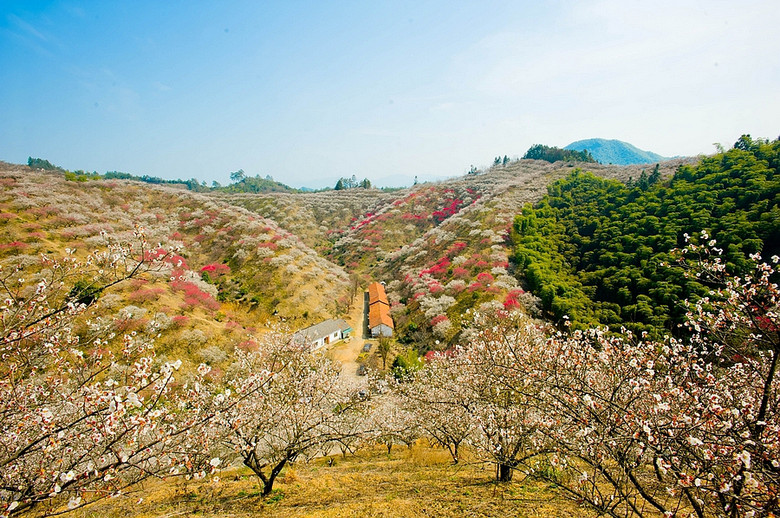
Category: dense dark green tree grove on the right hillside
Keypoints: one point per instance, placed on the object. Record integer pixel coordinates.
(597, 250)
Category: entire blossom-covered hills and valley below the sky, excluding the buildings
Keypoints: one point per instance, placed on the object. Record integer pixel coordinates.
(542, 361)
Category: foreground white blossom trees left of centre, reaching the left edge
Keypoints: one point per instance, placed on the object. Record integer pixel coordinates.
(87, 412)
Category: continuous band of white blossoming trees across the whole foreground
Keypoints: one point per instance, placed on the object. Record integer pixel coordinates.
(632, 427)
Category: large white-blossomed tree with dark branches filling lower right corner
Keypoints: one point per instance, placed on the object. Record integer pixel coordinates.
(682, 427)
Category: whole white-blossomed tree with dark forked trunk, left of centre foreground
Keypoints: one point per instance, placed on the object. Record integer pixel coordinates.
(303, 408)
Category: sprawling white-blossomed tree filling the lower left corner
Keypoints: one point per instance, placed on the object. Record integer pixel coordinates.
(84, 413)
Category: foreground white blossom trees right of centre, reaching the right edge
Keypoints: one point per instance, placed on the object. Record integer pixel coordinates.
(679, 427)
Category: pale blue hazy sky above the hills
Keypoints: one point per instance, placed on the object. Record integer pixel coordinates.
(310, 91)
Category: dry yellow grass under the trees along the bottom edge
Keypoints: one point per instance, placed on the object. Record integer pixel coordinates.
(408, 483)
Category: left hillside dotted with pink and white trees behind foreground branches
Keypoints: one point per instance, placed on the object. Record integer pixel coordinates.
(227, 272)
